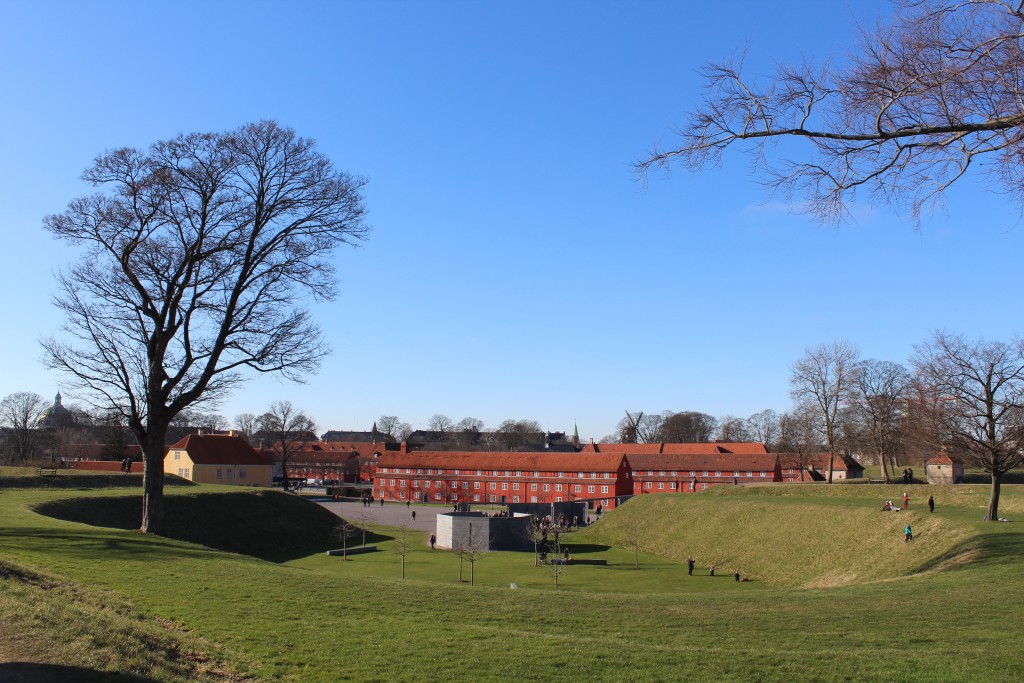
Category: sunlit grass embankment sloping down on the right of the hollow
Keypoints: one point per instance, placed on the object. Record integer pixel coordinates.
(804, 536)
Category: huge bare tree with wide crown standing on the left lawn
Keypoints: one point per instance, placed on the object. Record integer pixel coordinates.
(198, 258)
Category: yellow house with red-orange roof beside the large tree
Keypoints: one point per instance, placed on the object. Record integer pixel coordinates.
(224, 459)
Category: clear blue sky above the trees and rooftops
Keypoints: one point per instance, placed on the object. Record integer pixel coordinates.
(518, 268)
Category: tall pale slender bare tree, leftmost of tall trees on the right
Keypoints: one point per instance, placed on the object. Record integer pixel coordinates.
(823, 377)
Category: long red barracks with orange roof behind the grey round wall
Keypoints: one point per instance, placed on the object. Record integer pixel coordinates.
(503, 478)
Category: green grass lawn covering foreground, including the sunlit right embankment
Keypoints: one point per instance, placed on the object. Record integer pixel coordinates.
(836, 594)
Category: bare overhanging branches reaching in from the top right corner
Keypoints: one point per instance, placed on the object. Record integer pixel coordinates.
(919, 104)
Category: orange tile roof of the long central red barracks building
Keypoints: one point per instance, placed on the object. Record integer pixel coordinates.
(478, 460)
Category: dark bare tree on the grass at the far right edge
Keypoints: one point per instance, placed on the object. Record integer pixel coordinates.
(978, 388)
